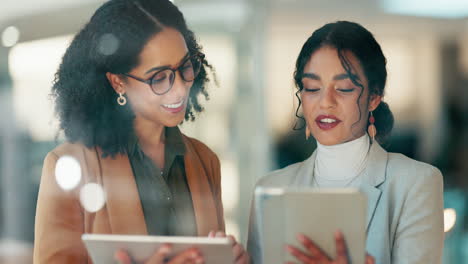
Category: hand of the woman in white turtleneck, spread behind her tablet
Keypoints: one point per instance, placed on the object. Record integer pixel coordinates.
(315, 254)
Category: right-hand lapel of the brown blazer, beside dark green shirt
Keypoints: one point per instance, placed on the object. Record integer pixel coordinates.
(202, 196)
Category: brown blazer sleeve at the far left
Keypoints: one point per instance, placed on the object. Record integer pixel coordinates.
(59, 221)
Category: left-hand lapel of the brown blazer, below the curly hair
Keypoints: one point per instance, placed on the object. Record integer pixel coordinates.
(123, 200)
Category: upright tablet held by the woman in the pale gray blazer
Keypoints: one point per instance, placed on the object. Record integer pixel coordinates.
(282, 213)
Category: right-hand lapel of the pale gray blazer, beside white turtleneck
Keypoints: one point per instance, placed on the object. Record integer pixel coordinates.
(373, 177)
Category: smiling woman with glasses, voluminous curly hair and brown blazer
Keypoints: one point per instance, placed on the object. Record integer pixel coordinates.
(129, 78)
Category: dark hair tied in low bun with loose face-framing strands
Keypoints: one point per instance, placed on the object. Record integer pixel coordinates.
(350, 36)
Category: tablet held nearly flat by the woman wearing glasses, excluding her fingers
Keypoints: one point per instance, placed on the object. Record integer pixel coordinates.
(102, 247)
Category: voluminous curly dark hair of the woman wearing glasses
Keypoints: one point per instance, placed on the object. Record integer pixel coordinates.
(111, 41)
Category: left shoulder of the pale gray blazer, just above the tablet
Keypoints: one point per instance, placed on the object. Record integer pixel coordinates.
(281, 177)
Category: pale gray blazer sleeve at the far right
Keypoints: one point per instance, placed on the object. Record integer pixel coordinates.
(419, 237)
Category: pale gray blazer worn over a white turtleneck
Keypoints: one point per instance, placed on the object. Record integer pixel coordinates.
(405, 207)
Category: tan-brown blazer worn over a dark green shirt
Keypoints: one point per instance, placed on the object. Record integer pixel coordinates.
(61, 219)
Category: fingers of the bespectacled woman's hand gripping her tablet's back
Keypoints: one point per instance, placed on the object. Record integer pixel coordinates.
(188, 256)
